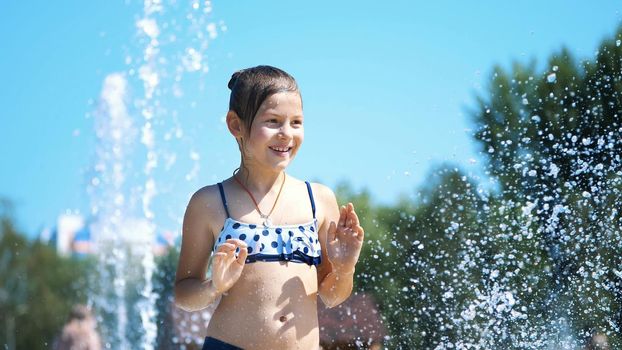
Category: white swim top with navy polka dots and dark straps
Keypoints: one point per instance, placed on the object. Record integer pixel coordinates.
(296, 243)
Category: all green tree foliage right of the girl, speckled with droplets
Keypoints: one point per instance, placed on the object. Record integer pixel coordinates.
(534, 261)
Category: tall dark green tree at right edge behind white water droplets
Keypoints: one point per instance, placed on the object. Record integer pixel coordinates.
(552, 140)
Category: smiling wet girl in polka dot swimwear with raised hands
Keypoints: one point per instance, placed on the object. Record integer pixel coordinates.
(276, 242)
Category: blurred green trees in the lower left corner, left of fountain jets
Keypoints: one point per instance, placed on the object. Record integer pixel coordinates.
(37, 288)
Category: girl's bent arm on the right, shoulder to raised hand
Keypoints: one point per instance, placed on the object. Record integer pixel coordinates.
(341, 239)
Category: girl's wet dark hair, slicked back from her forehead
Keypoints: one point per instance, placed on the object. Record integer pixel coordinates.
(252, 86)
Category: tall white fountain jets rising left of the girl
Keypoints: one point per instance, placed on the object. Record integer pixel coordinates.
(135, 129)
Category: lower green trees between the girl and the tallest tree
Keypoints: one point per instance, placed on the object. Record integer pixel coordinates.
(421, 259)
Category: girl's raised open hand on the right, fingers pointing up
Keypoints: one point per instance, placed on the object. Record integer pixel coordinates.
(345, 240)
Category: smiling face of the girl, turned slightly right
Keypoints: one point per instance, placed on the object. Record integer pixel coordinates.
(277, 131)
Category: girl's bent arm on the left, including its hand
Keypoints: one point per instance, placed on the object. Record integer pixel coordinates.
(192, 290)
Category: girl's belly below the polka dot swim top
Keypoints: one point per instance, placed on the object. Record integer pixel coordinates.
(272, 306)
